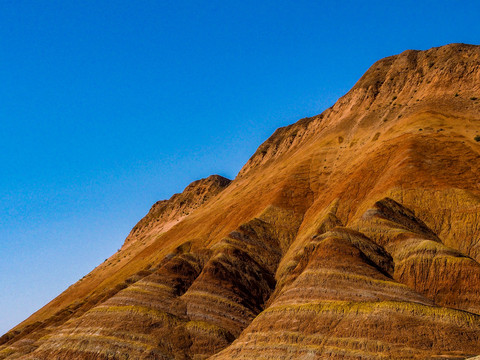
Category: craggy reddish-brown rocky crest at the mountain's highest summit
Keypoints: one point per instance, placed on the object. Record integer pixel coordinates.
(441, 79)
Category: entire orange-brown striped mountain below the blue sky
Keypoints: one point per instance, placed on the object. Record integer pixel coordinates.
(354, 234)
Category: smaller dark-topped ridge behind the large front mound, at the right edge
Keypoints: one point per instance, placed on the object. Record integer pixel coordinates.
(443, 274)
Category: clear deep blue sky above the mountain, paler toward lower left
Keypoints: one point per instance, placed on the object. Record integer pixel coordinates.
(109, 106)
